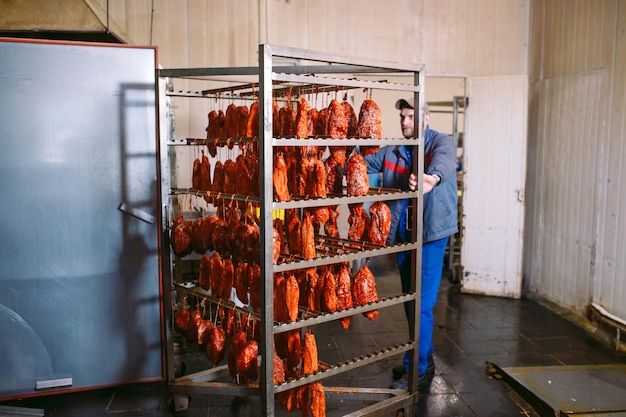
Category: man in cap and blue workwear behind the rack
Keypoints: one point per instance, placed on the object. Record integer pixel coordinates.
(439, 222)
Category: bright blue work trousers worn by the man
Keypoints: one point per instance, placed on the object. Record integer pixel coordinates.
(432, 268)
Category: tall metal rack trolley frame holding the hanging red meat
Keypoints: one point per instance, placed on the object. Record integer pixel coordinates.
(314, 71)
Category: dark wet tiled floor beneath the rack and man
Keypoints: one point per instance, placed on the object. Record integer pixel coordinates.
(470, 330)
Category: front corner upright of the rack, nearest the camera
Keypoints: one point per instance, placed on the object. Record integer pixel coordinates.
(266, 379)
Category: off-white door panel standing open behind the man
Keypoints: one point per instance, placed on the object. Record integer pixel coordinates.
(494, 183)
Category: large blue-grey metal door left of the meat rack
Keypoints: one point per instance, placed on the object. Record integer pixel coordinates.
(78, 159)
